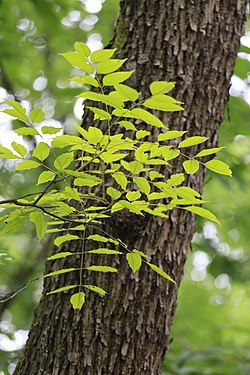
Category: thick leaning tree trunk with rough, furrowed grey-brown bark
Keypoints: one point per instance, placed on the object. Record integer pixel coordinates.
(127, 332)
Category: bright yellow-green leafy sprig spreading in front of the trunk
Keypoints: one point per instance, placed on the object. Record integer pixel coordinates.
(136, 165)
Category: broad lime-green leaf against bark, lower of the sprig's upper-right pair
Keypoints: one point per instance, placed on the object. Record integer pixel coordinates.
(163, 103)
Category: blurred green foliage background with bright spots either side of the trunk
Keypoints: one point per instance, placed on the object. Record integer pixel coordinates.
(211, 333)
